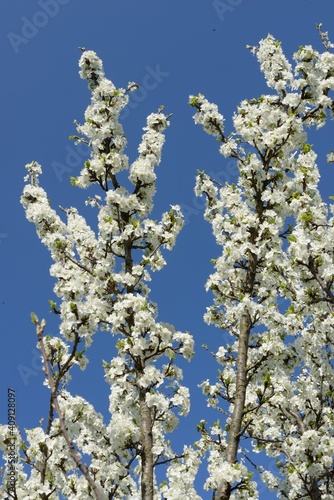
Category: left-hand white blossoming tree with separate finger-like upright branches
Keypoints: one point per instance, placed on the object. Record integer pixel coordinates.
(101, 282)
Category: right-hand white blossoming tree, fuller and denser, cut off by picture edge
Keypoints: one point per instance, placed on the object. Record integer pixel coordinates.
(273, 285)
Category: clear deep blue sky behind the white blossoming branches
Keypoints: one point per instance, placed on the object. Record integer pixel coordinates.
(171, 48)
